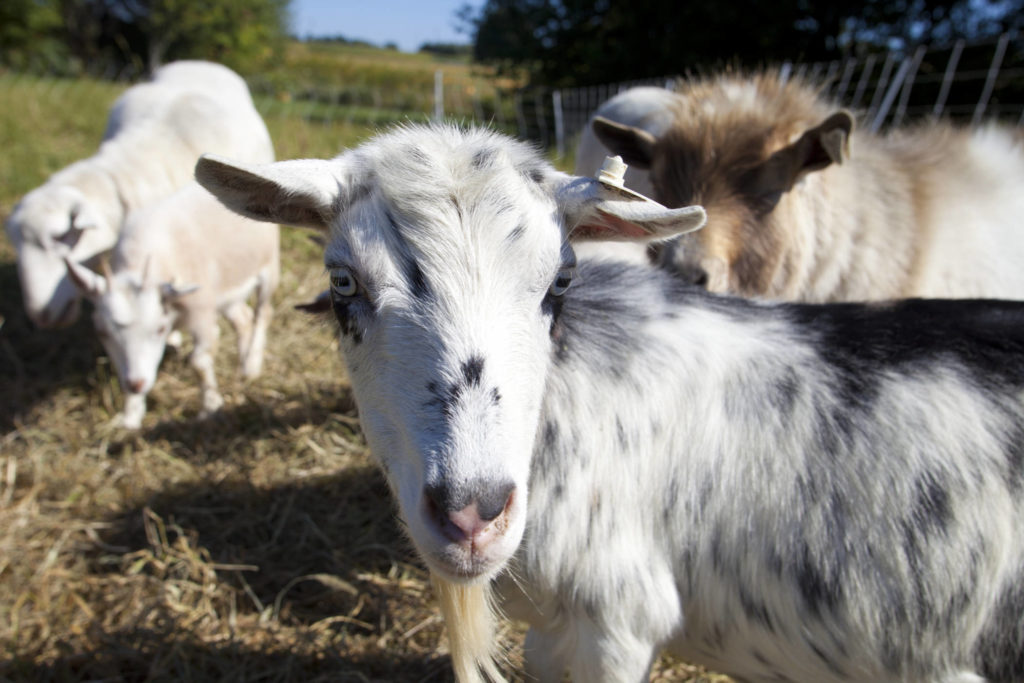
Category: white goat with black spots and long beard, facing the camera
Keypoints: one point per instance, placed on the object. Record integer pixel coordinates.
(784, 493)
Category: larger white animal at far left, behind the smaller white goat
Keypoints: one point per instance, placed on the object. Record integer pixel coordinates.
(155, 134)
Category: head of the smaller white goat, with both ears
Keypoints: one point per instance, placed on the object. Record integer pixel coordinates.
(134, 319)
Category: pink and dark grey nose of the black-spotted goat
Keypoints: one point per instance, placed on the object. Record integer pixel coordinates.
(467, 519)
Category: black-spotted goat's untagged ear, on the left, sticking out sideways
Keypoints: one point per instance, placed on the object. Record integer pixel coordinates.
(302, 192)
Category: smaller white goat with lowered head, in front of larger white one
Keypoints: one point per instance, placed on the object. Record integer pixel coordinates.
(178, 265)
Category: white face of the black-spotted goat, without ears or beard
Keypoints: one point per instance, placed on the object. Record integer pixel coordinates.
(447, 338)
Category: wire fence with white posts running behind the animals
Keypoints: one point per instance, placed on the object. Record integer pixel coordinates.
(970, 82)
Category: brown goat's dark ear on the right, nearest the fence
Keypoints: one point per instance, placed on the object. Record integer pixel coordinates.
(819, 148)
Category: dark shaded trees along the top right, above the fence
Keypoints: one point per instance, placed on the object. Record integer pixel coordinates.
(581, 42)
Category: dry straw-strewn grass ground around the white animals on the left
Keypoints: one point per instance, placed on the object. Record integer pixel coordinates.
(258, 546)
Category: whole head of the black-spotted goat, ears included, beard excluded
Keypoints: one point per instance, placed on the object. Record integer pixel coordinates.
(447, 259)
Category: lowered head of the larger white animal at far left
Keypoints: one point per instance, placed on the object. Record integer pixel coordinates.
(47, 227)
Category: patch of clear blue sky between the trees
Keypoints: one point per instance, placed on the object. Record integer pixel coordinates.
(407, 23)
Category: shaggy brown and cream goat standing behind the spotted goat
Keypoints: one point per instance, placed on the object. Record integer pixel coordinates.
(795, 214)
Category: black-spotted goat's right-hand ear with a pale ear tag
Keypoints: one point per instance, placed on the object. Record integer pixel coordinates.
(596, 211)
